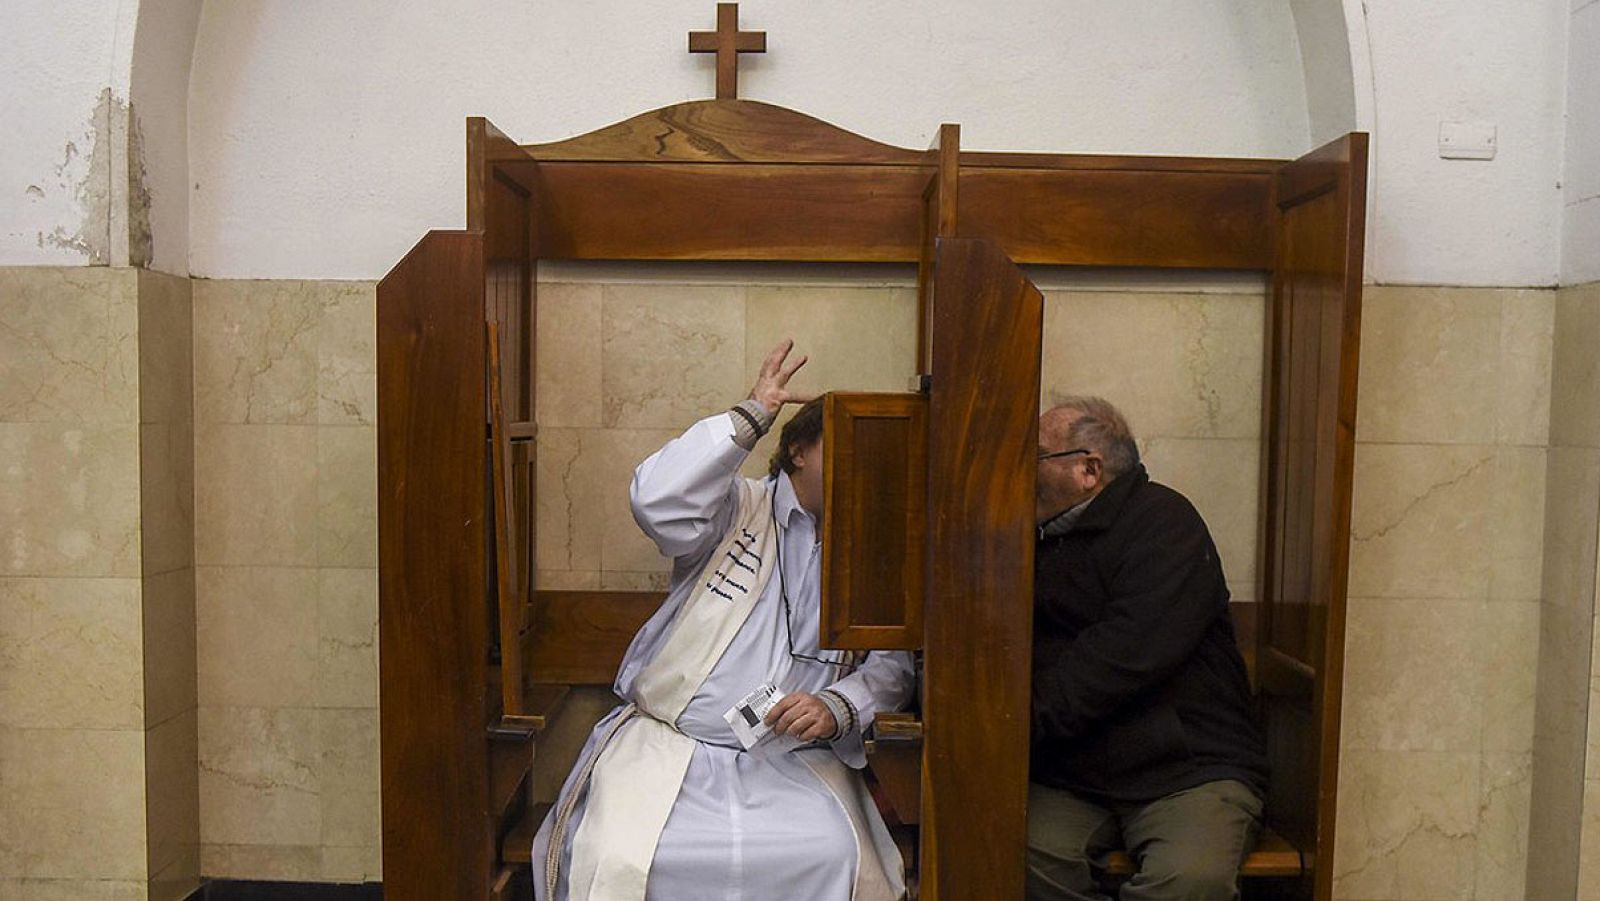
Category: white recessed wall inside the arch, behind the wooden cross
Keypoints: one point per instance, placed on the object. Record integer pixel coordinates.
(327, 137)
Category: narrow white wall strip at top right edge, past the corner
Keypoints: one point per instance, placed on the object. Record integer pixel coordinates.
(1582, 182)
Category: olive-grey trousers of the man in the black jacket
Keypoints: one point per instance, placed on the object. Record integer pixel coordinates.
(1186, 846)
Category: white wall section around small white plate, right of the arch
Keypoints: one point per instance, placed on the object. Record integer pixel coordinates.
(1454, 222)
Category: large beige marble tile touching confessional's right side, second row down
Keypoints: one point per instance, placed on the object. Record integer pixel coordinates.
(1422, 521)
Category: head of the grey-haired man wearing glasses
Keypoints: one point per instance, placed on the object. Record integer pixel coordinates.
(1084, 444)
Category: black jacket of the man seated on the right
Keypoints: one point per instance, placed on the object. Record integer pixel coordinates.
(1138, 684)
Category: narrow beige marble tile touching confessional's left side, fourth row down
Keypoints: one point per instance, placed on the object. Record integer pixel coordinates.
(350, 777)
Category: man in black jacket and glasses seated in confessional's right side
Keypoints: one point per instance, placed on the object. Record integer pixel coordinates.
(1143, 731)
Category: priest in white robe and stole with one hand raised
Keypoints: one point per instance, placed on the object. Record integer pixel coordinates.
(666, 803)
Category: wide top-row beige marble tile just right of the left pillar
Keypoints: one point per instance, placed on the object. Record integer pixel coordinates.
(255, 351)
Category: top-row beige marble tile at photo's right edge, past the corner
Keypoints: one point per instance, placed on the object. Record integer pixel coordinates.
(1575, 369)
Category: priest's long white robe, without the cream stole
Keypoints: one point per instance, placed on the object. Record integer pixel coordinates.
(780, 822)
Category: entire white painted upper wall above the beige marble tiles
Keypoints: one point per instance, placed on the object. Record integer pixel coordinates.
(321, 140)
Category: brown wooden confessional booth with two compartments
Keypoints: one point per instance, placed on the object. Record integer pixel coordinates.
(476, 657)
